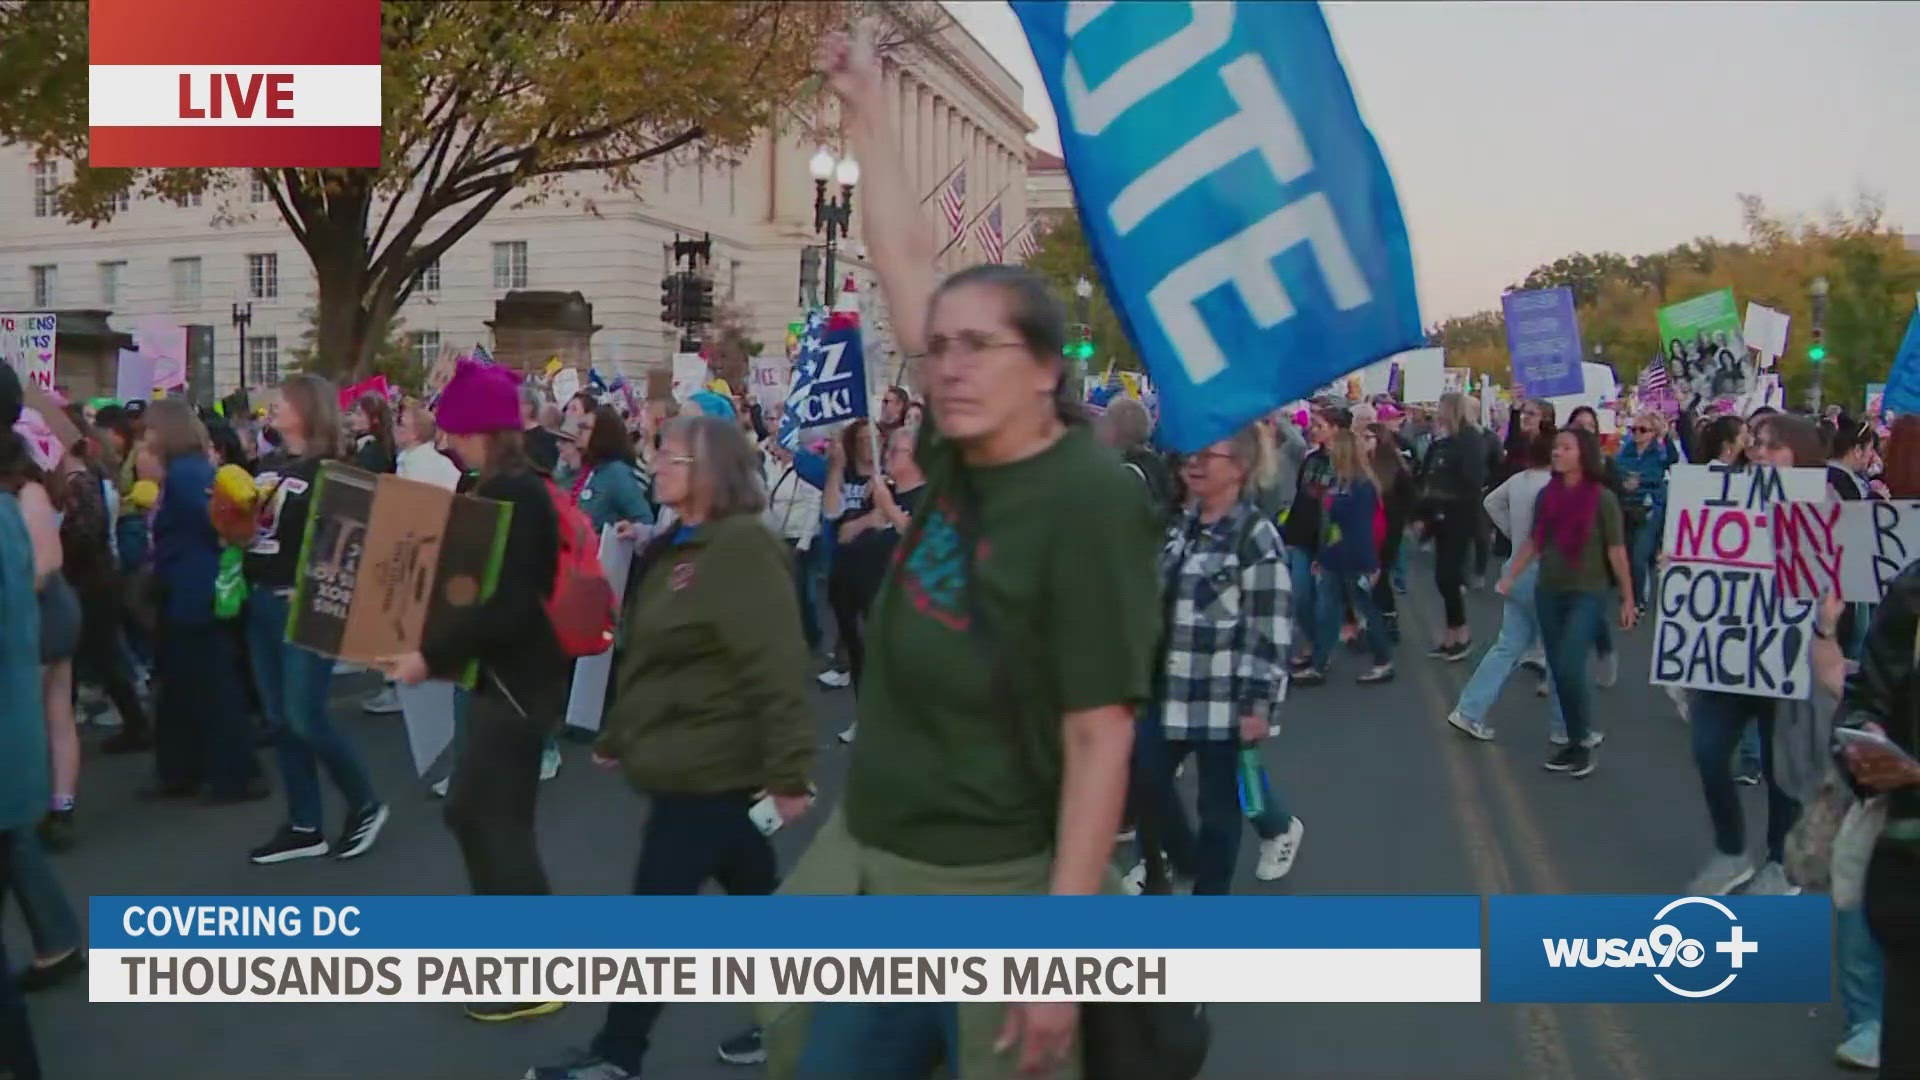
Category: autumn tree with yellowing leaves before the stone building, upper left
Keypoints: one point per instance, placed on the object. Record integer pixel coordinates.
(481, 103)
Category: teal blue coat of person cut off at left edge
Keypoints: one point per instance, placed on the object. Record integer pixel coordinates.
(24, 781)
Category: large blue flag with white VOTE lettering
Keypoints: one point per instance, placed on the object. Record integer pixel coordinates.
(1236, 203)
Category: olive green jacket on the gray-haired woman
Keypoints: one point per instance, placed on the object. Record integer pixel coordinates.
(711, 679)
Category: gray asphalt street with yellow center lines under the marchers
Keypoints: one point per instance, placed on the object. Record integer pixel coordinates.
(1393, 802)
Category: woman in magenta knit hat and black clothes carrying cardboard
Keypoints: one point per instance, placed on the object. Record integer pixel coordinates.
(523, 674)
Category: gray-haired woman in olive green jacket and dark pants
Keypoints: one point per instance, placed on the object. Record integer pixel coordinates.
(709, 712)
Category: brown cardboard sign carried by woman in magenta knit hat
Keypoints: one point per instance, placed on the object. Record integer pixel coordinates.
(387, 560)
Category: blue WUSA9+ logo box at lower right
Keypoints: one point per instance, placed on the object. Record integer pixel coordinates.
(1641, 948)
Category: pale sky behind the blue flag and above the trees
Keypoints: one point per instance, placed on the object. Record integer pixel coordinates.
(1520, 134)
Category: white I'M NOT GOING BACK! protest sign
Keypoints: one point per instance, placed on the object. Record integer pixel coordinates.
(1723, 622)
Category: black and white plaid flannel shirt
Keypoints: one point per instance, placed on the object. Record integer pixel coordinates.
(1230, 608)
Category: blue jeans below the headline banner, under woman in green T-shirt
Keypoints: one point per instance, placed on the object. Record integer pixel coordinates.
(880, 1041)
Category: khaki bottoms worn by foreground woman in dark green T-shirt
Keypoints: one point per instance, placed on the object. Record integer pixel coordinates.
(840, 866)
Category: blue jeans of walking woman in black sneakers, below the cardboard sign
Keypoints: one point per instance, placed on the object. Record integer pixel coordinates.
(293, 691)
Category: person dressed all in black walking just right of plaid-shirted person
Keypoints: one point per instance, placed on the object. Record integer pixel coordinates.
(1451, 485)
